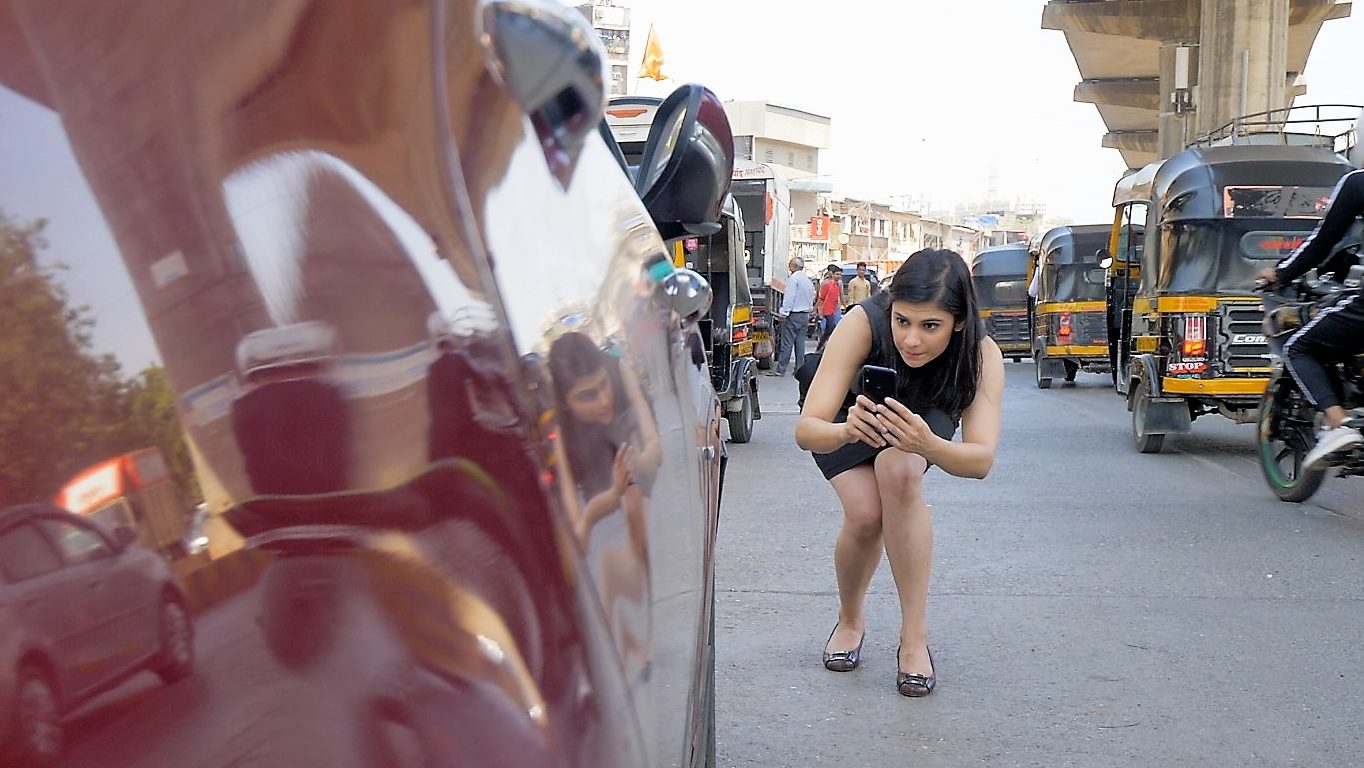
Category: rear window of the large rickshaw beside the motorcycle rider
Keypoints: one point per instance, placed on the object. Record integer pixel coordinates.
(1223, 256)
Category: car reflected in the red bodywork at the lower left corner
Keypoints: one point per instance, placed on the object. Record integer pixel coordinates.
(83, 612)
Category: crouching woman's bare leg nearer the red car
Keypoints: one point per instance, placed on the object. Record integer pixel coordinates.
(857, 552)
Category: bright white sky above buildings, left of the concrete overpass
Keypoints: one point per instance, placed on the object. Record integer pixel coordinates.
(928, 98)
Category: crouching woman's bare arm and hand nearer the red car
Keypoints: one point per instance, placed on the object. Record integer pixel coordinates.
(844, 357)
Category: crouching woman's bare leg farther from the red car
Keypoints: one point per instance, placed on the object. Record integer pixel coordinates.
(909, 544)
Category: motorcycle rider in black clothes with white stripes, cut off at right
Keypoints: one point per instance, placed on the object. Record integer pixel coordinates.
(1339, 331)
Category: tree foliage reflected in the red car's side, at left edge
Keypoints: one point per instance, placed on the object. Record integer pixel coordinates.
(65, 407)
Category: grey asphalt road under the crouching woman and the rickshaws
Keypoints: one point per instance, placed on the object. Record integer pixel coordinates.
(1089, 606)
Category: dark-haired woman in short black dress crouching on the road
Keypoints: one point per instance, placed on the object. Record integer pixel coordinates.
(947, 370)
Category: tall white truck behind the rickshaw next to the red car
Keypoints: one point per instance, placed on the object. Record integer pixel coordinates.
(766, 201)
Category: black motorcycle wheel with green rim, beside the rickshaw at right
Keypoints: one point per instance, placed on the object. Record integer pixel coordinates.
(1284, 437)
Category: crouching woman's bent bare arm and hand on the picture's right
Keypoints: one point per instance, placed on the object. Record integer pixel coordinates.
(972, 458)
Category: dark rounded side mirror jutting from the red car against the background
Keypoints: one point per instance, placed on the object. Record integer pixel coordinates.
(688, 164)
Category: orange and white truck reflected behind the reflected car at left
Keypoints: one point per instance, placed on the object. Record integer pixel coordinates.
(134, 490)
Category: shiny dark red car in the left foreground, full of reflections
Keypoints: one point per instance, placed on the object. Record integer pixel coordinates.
(425, 358)
